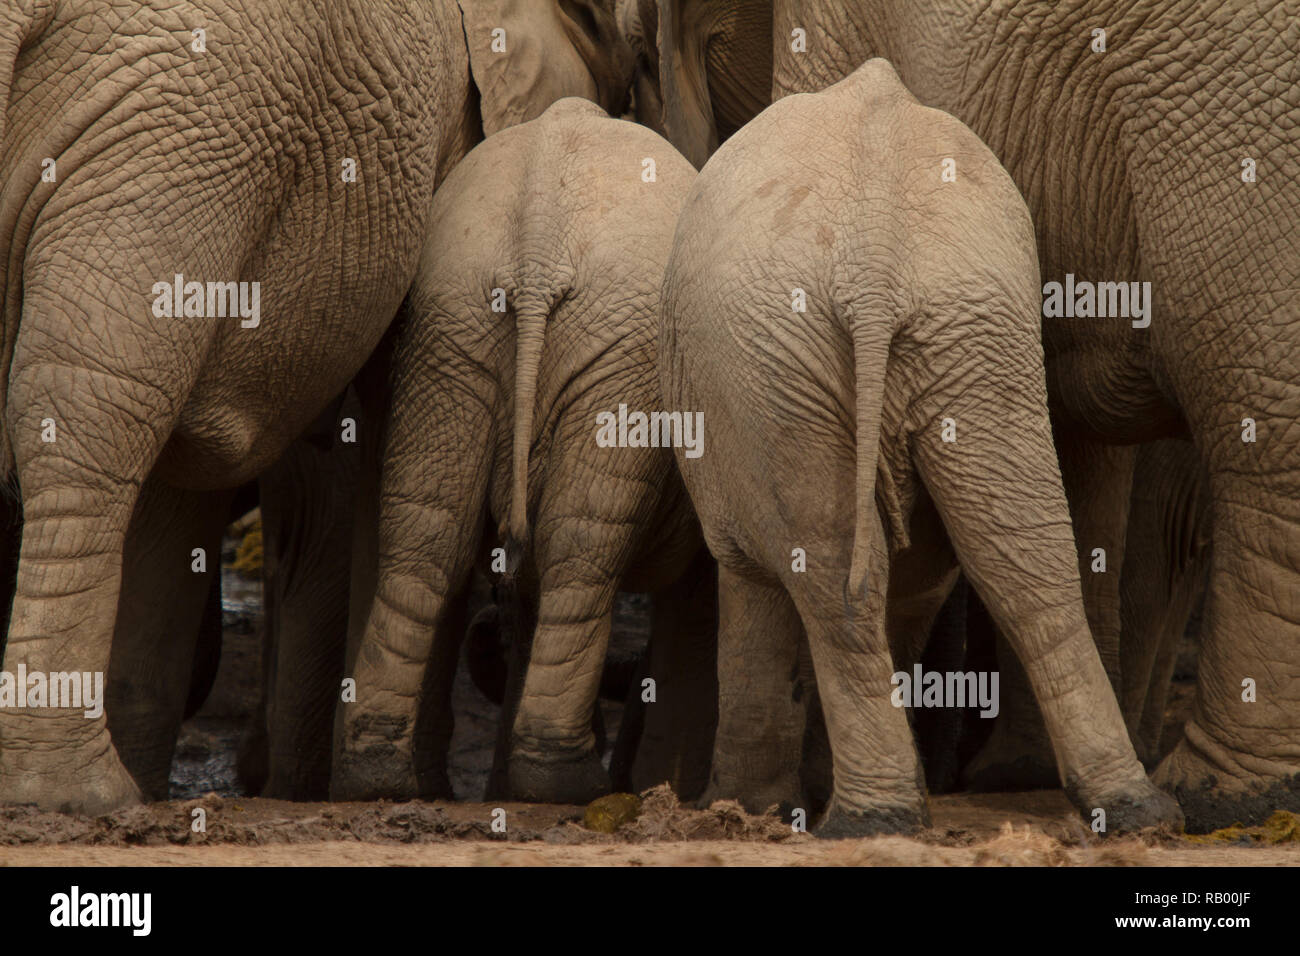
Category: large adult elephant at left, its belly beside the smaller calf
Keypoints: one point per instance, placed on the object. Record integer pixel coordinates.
(289, 150)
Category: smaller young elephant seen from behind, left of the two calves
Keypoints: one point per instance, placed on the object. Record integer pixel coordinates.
(535, 313)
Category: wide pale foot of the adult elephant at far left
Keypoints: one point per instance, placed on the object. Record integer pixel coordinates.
(66, 764)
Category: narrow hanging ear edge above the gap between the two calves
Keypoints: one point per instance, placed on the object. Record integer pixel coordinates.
(688, 114)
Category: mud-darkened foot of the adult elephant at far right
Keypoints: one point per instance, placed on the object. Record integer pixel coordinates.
(1214, 798)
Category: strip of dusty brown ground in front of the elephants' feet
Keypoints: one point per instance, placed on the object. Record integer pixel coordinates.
(969, 830)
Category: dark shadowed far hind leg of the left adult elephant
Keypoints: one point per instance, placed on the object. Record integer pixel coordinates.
(159, 616)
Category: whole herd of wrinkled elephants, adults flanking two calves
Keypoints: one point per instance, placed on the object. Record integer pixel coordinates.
(877, 334)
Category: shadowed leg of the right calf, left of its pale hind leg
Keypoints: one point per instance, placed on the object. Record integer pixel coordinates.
(760, 737)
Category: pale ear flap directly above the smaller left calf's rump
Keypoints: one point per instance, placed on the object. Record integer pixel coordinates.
(526, 55)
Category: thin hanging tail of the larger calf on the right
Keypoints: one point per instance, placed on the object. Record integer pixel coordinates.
(872, 331)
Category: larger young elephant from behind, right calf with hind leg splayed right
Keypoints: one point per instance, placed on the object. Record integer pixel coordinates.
(853, 304)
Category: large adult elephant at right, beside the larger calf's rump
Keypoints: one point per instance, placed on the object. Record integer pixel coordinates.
(1152, 145)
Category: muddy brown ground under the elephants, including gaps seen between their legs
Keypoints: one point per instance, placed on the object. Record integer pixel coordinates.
(1035, 829)
